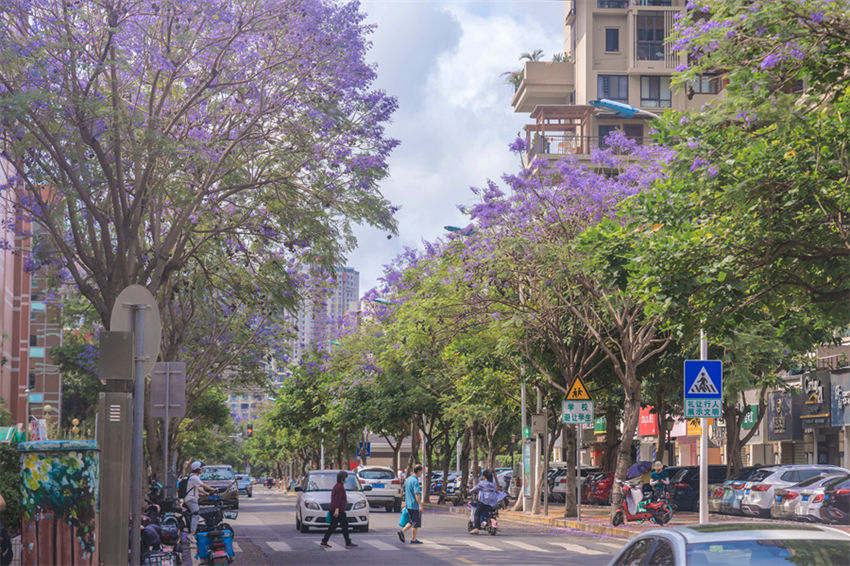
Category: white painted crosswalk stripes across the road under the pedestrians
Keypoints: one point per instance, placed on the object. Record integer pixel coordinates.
(488, 544)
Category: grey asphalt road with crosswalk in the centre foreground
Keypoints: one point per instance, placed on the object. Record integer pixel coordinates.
(266, 535)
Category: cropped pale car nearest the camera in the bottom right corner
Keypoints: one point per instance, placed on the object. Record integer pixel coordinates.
(774, 544)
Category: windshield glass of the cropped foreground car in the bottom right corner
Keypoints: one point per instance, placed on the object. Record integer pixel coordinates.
(770, 552)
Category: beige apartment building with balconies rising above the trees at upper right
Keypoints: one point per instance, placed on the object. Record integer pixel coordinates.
(613, 49)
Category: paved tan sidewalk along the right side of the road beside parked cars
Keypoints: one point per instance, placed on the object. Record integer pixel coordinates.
(597, 519)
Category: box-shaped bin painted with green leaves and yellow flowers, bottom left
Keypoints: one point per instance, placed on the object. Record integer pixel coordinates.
(59, 481)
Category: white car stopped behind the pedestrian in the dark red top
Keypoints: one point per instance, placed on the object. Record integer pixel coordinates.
(314, 499)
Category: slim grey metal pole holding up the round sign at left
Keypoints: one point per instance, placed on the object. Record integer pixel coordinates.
(138, 428)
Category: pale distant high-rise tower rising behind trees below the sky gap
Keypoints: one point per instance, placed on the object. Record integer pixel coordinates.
(320, 321)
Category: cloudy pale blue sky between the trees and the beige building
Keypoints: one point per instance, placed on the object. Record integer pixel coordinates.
(443, 60)
